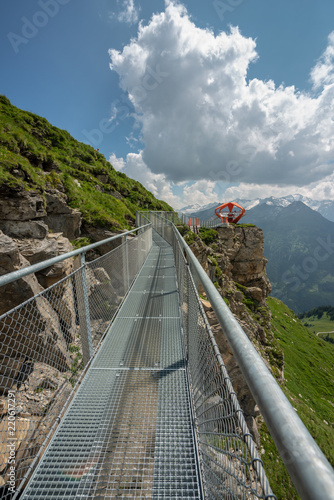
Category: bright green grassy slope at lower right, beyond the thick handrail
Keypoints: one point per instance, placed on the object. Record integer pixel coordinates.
(309, 386)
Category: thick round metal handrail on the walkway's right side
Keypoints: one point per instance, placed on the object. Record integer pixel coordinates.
(308, 467)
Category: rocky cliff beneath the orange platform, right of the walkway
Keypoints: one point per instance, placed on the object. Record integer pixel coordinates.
(234, 260)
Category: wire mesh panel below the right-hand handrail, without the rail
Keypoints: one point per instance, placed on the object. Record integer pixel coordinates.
(230, 464)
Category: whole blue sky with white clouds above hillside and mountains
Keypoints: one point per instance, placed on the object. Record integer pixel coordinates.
(193, 107)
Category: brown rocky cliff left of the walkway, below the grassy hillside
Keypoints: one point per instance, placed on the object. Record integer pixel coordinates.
(33, 229)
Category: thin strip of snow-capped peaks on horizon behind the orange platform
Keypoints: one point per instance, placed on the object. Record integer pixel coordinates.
(324, 207)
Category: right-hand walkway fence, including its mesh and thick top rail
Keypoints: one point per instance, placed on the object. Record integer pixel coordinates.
(221, 435)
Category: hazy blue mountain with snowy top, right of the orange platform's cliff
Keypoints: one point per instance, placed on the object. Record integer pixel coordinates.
(299, 246)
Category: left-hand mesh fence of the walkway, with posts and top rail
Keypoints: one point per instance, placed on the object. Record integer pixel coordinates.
(47, 342)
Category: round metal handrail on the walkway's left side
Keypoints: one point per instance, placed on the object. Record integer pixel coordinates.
(21, 273)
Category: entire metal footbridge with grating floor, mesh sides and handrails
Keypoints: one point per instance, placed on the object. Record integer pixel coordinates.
(133, 398)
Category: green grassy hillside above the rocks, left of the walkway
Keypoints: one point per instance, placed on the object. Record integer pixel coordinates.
(36, 155)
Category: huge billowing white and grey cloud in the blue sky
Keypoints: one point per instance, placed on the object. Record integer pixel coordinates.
(202, 119)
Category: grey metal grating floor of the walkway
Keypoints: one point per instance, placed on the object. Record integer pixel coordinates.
(128, 432)
